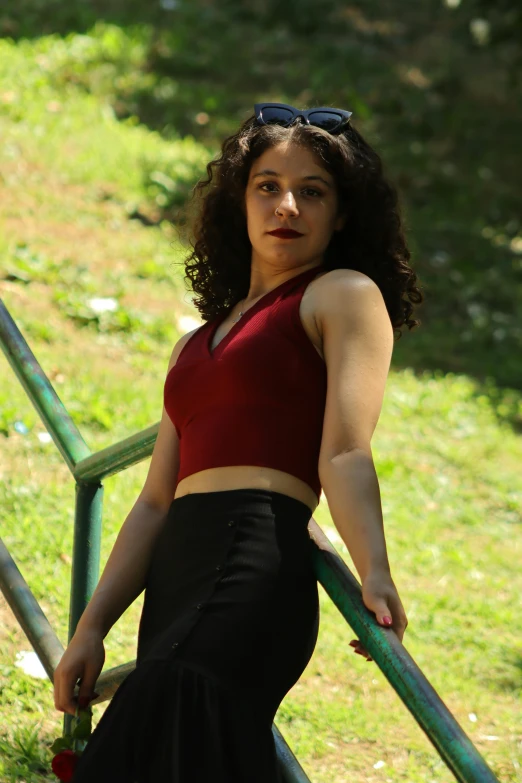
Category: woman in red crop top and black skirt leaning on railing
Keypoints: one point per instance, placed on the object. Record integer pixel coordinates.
(301, 266)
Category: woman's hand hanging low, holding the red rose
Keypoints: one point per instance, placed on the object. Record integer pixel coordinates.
(83, 660)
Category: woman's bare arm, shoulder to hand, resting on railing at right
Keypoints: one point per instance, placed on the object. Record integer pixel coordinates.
(357, 340)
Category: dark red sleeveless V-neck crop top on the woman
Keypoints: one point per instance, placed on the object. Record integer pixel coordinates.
(259, 397)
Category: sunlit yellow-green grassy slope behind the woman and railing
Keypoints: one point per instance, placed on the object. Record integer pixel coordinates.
(449, 473)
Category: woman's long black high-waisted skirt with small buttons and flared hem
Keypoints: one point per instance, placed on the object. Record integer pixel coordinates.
(229, 622)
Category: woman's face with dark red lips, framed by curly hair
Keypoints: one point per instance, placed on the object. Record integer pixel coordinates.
(289, 179)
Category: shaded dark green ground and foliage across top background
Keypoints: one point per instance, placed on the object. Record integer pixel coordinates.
(446, 118)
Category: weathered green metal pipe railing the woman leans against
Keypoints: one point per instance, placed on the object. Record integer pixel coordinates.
(88, 470)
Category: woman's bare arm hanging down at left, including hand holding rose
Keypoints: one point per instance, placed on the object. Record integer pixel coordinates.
(125, 572)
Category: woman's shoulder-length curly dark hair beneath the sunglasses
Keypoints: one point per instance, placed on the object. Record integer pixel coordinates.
(372, 241)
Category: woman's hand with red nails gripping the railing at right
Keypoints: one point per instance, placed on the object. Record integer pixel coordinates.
(380, 596)
